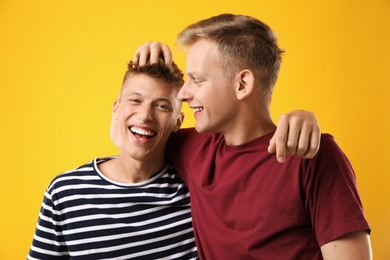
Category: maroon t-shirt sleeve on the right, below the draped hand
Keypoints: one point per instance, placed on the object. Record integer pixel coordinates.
(332, 196)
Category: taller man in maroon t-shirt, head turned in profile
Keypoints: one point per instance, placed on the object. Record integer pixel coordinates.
(246, 205)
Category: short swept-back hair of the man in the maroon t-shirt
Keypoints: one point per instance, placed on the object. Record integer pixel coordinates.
(244, 42)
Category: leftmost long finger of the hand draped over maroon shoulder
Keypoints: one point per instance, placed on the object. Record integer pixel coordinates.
(280, 136)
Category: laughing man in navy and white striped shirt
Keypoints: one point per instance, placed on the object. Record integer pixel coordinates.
(130, 206)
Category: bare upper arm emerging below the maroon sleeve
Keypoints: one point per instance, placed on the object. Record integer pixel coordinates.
(353, 246)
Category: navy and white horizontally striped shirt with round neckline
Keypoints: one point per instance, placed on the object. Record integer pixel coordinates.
(84, 215)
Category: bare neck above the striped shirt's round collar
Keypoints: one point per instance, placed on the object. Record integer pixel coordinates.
(129, 170)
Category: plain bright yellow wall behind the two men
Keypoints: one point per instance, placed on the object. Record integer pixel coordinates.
(61, 65)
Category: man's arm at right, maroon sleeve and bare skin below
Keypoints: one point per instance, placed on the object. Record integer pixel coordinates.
(334, 205)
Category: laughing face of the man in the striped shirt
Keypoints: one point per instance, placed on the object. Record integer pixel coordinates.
(144, 116)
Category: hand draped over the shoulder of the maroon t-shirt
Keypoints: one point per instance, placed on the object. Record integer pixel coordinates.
(297, 133)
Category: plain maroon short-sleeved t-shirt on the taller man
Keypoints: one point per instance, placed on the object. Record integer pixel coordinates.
(246, 205)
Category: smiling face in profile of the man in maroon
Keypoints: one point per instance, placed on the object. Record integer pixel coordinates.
(207, 90)
